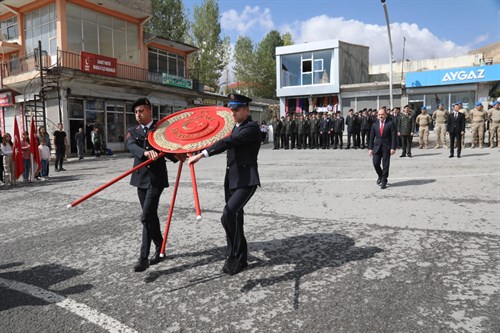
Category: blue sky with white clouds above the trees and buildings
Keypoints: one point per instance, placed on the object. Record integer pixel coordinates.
(432, 28)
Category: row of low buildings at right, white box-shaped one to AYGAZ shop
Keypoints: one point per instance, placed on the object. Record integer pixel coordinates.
(331, 75)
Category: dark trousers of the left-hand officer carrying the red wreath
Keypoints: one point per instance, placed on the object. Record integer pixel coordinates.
(149, 199)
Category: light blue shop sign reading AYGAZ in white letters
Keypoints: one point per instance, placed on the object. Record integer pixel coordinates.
(453, 76)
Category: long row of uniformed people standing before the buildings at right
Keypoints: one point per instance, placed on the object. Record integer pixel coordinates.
(333, 131)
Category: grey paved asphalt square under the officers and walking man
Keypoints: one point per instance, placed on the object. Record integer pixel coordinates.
(329, 250)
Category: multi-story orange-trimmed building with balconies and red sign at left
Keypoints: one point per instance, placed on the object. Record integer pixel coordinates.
(84, 62)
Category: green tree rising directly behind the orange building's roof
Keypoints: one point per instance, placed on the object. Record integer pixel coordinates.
(169, 20)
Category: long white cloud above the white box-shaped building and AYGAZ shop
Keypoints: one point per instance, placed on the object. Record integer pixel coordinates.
(420, 42)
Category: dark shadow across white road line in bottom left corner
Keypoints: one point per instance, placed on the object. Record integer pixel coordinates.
(42, 277)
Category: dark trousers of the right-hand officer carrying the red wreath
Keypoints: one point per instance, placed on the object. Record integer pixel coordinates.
(232, 221)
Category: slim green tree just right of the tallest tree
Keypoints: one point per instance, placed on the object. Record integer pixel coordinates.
(244, 64)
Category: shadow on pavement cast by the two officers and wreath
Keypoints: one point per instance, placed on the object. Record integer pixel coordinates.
(306, 253)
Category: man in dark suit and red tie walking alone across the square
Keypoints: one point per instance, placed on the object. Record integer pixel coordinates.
(382, 144)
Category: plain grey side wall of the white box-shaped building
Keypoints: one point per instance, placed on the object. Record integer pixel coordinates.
(353, 63)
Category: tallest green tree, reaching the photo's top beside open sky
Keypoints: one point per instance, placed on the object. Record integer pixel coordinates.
(212, 56)
